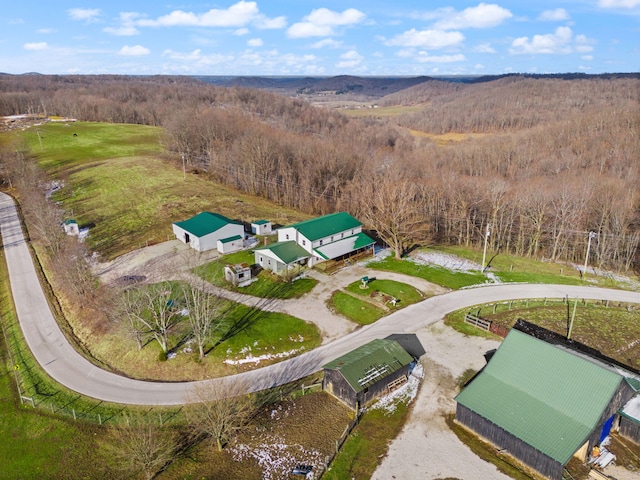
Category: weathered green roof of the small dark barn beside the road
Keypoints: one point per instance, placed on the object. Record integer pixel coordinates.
(365, 365)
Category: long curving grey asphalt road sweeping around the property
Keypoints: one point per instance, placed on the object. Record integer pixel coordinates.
(59, 359)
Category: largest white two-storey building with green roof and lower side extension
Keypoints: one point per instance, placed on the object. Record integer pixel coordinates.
(328, 237)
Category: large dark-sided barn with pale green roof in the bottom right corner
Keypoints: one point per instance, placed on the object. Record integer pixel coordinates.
(542, 402)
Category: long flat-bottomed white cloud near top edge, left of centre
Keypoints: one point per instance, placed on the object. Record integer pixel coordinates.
(238, 15)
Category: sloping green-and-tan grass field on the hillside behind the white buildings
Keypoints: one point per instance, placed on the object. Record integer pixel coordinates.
(119, 183)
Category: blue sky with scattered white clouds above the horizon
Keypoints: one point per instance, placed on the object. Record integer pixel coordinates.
(330, 37)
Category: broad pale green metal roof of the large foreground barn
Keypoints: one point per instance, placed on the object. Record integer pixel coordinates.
(543, 394)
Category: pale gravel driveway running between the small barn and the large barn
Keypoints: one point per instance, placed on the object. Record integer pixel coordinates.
(426, 448)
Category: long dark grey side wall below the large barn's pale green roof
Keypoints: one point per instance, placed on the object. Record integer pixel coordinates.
(513, 445)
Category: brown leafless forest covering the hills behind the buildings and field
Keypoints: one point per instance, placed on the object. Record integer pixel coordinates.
(549, 161)
